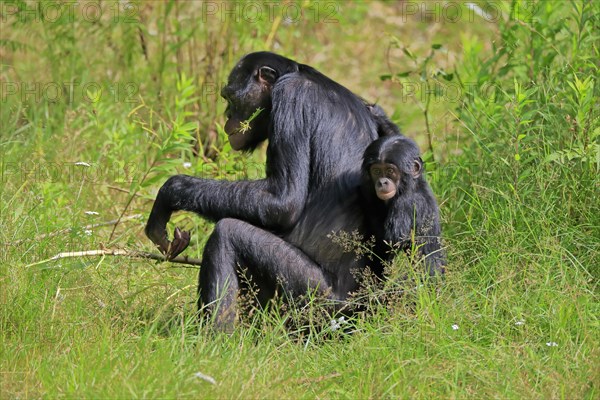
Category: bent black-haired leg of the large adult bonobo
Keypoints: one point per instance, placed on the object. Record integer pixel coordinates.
(268, 259)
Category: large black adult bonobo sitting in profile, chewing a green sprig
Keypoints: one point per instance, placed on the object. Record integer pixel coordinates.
(273, 231)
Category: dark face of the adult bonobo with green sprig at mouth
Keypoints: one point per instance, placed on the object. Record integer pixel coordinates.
(248, 95)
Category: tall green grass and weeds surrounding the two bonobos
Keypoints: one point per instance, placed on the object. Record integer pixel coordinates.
(515, 166)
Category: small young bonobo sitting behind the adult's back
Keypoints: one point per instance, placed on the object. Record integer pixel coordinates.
(400, 205)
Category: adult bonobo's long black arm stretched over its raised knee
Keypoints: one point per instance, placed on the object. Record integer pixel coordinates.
(274, 203)
